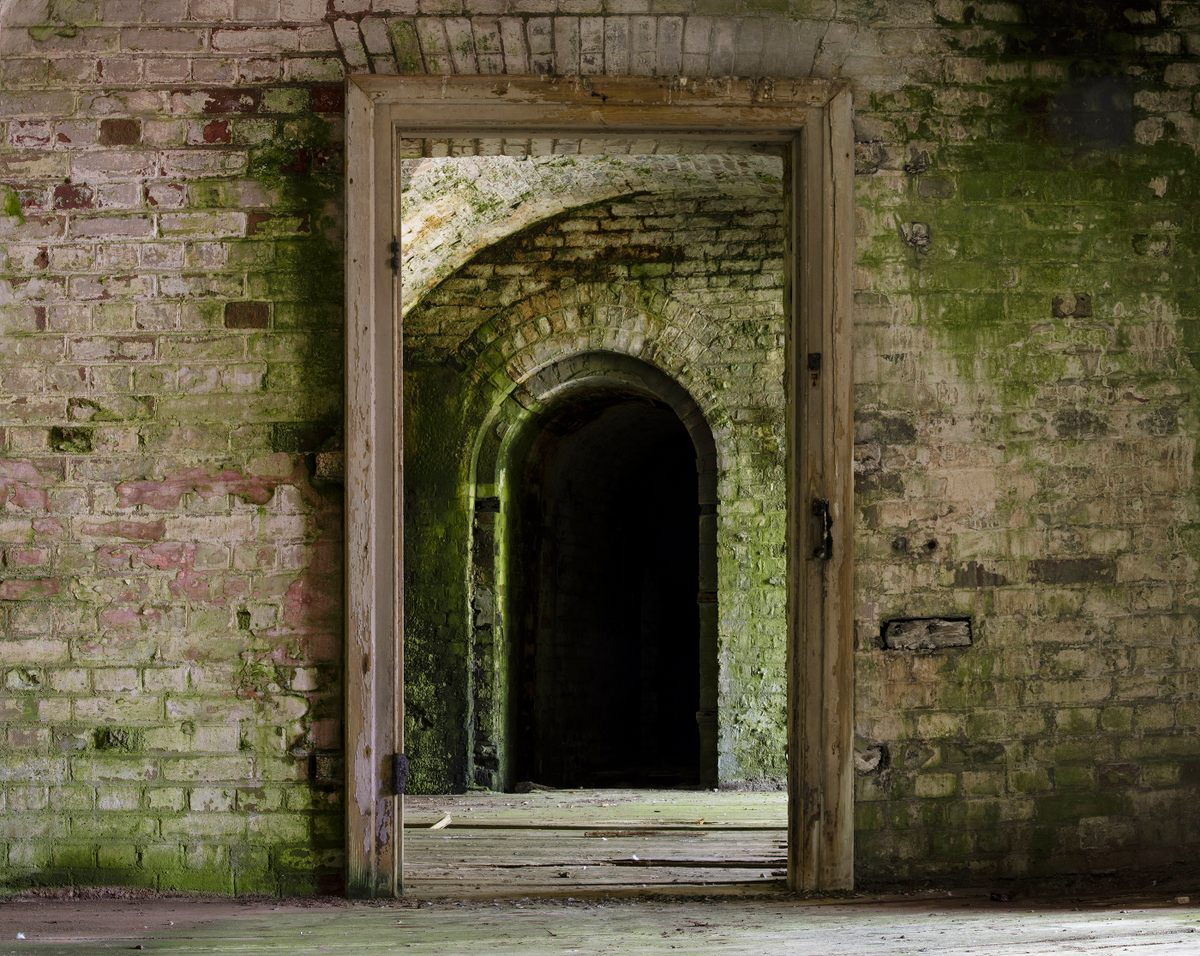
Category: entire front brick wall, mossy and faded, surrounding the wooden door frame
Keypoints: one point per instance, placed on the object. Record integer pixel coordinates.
(1027, 363)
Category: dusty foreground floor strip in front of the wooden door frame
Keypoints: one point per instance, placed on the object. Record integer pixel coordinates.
(1147, 927)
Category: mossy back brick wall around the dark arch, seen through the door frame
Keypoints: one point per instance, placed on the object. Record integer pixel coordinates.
(689, 284)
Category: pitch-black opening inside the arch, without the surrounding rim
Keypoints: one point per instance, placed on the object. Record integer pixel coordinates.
(605, 582)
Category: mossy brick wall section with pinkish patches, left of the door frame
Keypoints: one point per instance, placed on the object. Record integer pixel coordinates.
(171, 303)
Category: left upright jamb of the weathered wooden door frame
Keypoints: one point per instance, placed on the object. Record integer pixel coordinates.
(374, 664)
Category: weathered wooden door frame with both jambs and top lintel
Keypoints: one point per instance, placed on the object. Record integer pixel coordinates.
(813, 118)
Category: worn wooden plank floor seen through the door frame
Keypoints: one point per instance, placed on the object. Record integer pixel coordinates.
(565, 843)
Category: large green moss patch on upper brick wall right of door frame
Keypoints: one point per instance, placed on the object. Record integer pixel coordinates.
(1048, 203)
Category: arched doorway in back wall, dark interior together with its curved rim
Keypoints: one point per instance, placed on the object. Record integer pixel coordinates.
(650, 512)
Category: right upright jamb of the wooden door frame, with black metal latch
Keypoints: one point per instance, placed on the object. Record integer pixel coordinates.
(821, 688)
